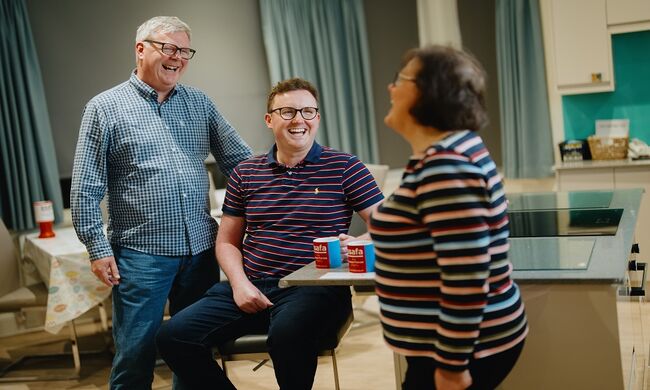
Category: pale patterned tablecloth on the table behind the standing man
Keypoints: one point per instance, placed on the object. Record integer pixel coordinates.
(62, 262)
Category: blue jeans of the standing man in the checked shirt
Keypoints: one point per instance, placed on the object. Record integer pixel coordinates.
(147, 281)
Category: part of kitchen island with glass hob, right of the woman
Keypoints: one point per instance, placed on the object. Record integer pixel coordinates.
(583, 333)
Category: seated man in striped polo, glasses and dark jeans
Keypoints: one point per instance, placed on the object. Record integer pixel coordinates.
(280, 201)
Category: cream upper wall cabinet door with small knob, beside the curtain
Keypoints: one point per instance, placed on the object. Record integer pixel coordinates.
(582, 46)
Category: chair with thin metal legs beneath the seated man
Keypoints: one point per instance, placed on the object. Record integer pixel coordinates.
(254, 347)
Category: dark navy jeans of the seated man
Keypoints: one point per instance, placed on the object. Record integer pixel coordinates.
(299, 317)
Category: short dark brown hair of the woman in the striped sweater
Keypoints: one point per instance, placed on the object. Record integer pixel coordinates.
(452, 89)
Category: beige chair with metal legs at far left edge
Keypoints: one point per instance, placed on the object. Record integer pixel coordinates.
(17, 300)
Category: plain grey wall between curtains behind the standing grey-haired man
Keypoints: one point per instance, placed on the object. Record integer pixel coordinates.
(85, 47)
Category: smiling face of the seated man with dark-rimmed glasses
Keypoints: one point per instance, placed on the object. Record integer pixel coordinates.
(293, 136)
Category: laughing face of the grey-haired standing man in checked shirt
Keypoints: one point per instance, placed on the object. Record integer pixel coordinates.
(160, 71)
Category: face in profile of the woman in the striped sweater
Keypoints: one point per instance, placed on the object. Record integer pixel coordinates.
(404, 94)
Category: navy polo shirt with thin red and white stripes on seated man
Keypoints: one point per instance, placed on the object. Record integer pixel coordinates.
(286, 208)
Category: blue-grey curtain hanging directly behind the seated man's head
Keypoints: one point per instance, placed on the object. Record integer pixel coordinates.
(324, 42)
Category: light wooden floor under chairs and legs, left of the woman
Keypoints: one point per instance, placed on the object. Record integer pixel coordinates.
(364, 362)
